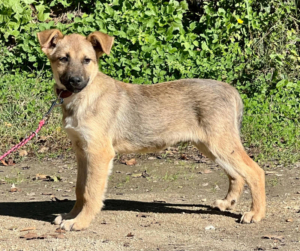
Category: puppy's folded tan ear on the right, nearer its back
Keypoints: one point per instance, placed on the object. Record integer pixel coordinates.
(101, 42)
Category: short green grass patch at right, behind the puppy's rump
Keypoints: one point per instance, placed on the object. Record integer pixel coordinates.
(271, 123)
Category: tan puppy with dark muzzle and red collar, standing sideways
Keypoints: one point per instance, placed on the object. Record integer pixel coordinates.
(103, 116)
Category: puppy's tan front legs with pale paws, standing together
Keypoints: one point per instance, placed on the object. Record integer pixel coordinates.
(94, 164)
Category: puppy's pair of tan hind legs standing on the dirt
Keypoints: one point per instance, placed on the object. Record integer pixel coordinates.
(228, 152)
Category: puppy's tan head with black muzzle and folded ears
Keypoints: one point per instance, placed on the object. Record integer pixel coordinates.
(74, 58)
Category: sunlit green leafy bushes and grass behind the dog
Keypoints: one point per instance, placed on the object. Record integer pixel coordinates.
(251, 44)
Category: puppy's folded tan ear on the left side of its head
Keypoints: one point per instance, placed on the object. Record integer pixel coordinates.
(48, 39)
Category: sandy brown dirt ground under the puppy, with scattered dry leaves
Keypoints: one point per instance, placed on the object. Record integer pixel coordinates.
(157, 204)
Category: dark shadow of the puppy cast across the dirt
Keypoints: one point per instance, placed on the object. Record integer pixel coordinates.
(46, 210)
